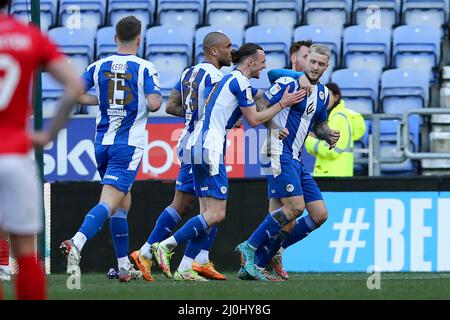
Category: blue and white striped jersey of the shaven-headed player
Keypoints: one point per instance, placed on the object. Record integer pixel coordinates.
(195, 85)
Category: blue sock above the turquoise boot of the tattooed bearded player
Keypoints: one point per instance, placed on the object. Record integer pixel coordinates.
(271, 225)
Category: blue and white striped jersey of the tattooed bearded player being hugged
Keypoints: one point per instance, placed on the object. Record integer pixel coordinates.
(298, 119)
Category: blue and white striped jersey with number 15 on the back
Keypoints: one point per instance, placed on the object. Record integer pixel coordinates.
(122, 83)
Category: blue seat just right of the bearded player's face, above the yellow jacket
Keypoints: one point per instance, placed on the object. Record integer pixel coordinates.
(359, 89)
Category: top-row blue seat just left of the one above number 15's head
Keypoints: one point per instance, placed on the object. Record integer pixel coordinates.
(87, 14)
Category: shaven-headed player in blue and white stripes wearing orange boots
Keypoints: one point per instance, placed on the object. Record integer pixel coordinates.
(187, 100)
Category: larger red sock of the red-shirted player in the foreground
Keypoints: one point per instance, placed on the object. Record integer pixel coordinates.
(30, 280)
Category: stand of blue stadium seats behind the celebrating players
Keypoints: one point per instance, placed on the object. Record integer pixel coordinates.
(373, 48)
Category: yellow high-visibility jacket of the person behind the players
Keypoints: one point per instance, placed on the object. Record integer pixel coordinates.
(337, 162)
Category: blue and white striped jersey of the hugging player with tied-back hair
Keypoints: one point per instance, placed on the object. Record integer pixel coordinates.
(222, 110)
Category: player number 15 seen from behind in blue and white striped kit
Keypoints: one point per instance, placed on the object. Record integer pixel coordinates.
(127, 88)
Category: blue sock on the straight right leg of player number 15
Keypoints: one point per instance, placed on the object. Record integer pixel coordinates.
(119, 231)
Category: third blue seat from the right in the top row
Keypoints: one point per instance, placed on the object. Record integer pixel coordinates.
(335, 13)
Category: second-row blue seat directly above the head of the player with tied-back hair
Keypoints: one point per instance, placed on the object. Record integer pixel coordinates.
(275, 41)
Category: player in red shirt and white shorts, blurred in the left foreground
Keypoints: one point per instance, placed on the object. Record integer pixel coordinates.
(23, 50)
